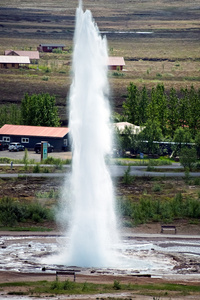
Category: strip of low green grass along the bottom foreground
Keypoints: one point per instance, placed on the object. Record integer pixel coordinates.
(115, 289)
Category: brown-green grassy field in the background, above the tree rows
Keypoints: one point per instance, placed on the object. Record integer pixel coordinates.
(168, 53)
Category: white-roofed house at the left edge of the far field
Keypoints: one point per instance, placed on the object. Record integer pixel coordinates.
(13, 62)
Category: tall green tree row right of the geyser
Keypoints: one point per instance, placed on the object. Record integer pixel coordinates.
(168, 111)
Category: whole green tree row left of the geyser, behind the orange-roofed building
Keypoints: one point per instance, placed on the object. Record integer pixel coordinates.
(35, 110)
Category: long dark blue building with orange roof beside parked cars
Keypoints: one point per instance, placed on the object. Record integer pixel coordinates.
(30, 135)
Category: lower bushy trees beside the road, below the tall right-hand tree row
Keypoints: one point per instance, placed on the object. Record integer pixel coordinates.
(151, 141)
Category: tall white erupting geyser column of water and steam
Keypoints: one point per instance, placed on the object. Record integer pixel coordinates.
(93, 225)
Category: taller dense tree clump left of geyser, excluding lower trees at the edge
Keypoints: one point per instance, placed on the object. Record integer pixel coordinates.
(39, 110)
